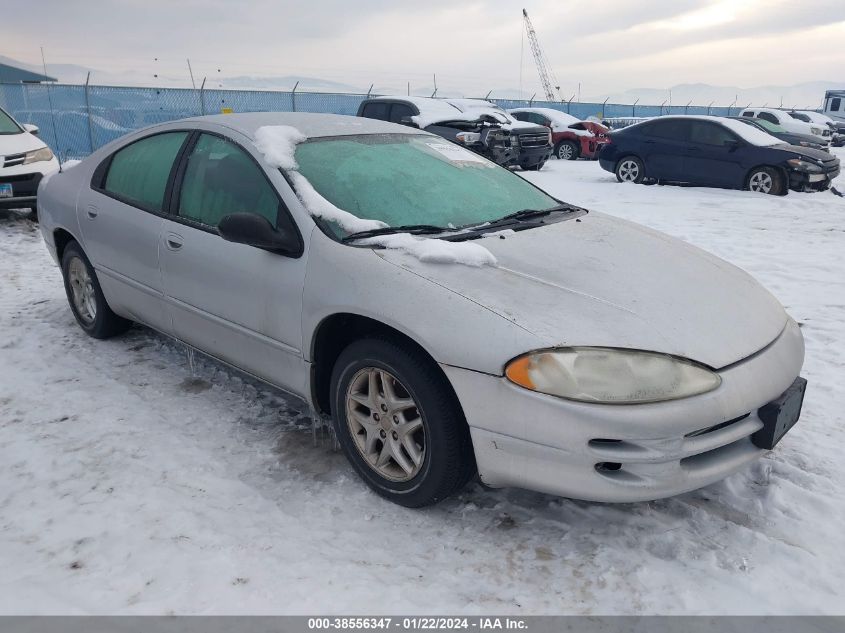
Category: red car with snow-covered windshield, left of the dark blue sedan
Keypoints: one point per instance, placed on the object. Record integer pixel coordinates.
(572, 138)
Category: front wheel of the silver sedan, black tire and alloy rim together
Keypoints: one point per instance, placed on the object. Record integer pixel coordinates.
(399, 423)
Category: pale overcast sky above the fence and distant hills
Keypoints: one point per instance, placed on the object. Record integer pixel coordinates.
(606, 45)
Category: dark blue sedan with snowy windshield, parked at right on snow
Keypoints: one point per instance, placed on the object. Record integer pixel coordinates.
(715, 152)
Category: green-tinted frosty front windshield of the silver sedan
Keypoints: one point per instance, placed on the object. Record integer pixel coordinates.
(413, 179)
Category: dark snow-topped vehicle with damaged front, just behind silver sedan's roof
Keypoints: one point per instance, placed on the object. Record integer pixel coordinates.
(483, 135)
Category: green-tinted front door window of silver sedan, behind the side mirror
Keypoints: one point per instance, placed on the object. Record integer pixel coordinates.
(221, 179)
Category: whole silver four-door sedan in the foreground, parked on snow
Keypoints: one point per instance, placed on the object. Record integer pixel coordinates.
(446, 314)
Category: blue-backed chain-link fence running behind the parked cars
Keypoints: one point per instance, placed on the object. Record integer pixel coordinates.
(75, 120)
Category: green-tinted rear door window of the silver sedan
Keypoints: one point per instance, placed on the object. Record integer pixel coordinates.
(138, 173)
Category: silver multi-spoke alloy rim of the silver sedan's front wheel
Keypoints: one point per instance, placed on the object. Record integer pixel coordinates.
(385, 424)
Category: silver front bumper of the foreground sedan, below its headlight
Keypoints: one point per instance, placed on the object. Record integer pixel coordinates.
(623, 453)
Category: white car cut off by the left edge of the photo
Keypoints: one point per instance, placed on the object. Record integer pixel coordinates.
(24, 161)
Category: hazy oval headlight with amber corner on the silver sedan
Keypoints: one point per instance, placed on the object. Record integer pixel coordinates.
(610, 376)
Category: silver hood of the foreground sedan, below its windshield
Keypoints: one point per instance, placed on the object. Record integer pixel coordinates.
(603, 281)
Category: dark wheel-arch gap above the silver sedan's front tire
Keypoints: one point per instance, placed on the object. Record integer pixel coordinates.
(334, 333)
